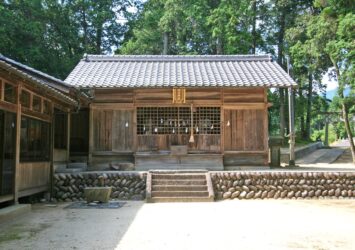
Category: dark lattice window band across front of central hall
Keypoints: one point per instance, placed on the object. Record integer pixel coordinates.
(177, 120)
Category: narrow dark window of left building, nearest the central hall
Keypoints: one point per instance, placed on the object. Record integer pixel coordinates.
(60, 131)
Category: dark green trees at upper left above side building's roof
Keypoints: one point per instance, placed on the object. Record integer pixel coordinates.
(52, 35)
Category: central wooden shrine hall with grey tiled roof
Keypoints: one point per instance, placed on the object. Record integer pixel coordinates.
(175, 112)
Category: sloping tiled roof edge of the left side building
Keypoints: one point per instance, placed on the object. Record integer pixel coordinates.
(50, 84)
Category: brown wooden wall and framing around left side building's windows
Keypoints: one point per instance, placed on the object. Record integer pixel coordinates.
(30, 177)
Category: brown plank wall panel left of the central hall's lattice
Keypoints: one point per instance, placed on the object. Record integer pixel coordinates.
(110, 131)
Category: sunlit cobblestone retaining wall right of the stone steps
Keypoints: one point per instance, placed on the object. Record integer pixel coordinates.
(283, 185)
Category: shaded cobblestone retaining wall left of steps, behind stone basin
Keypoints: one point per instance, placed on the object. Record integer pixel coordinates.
(125, 185)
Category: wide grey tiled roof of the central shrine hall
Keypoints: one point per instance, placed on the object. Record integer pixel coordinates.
(178, 71)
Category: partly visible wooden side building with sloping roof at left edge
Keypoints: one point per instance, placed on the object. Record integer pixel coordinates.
(34, 119)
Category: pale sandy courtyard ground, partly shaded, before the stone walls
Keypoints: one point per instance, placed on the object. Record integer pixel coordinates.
(247, 224)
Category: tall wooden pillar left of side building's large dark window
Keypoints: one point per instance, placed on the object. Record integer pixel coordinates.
(17, 149)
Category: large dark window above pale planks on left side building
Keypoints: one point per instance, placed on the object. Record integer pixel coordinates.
(35, 140)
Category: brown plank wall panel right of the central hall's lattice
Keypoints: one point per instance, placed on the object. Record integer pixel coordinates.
(246, 131)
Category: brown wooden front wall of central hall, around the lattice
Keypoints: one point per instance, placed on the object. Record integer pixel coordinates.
(244, 108)
